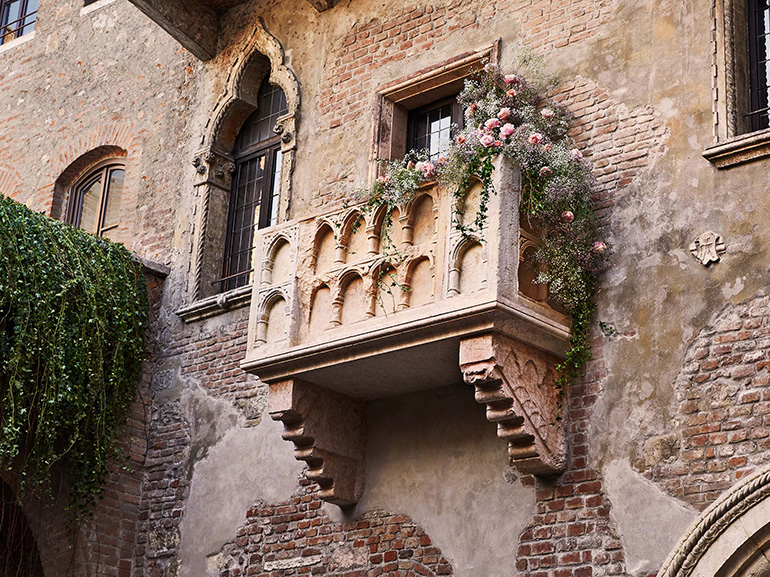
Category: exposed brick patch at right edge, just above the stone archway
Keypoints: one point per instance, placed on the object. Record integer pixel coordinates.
(722, 426)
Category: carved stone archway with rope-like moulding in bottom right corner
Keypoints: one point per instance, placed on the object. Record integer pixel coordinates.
(731, 538)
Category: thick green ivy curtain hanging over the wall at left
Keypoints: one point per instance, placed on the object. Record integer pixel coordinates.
(73, 309)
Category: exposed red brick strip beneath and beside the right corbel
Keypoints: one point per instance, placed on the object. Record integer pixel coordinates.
(572, 535)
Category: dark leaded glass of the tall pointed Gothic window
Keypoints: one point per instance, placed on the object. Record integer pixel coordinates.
(256, 184)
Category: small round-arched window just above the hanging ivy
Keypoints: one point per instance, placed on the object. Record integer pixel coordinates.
(94, 203)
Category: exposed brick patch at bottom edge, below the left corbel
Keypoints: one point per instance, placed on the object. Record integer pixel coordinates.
(298, 538)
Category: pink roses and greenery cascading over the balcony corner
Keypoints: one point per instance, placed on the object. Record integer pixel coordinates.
(507, 115)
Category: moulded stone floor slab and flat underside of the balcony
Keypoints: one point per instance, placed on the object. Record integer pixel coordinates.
(417, 354)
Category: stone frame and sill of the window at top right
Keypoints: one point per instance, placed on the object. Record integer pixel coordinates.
(731, 146)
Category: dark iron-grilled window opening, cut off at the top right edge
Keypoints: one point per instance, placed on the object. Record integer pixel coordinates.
(759, 64)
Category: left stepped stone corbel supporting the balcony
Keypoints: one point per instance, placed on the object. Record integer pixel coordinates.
(329, 434)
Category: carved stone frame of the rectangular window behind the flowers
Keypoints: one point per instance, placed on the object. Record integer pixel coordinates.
(395, 99)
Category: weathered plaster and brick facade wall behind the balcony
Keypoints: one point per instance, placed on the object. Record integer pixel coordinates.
(671, 412)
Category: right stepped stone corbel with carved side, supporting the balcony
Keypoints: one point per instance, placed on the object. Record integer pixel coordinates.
(516, 383)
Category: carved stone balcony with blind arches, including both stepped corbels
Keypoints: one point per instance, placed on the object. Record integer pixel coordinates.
(347, 308)
